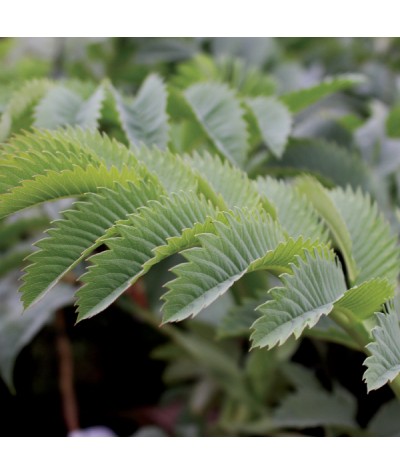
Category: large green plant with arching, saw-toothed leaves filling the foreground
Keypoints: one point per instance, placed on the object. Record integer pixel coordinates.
(186, 168)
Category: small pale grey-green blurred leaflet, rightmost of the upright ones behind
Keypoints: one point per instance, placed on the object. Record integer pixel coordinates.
(274, 122)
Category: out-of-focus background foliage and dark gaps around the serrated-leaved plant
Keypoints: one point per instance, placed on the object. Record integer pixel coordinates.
(137, 379)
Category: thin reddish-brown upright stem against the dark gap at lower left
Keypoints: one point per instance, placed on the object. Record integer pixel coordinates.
(66, 376)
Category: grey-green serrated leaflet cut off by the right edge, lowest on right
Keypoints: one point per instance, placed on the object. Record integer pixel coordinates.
(384, 363)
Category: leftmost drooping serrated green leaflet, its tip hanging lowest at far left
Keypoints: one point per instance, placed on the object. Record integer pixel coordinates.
(80, 232)
